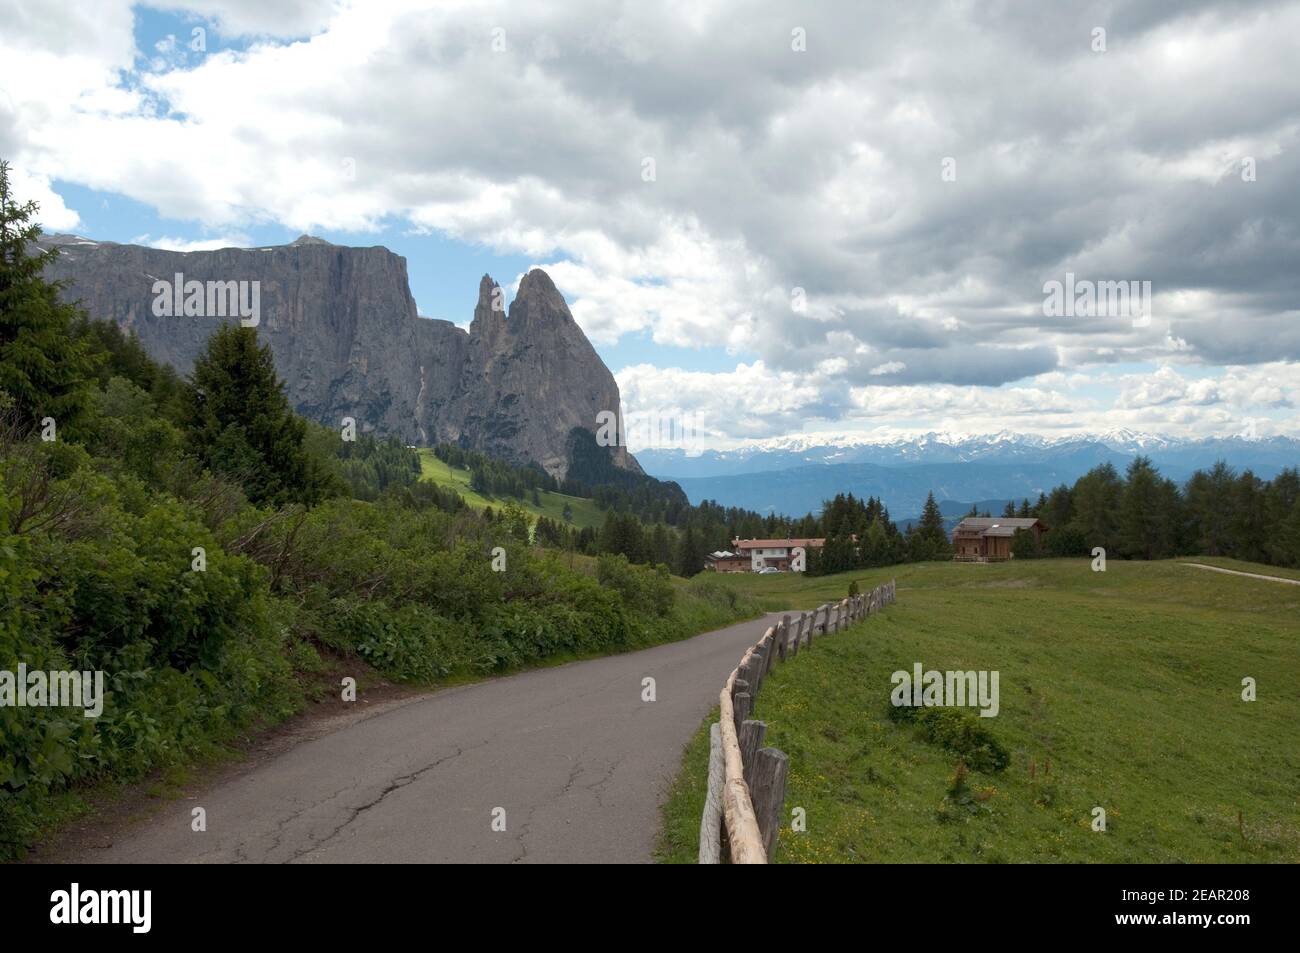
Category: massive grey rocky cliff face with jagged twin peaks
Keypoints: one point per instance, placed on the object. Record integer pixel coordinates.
(349, 343)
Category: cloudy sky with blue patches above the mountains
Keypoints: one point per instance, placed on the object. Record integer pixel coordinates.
(769, 219)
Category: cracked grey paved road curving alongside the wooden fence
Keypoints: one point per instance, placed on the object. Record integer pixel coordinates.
(575, 757)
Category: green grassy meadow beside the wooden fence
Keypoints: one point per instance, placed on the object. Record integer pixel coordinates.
(1128, 682)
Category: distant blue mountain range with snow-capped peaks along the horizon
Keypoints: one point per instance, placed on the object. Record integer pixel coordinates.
(801, 471)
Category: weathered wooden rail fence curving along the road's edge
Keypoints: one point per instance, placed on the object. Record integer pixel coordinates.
(747, 782)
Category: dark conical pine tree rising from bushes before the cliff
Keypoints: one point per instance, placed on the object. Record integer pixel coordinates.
(239, 423)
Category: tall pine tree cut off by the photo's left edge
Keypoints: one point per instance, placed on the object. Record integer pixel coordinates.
(44, 369)
